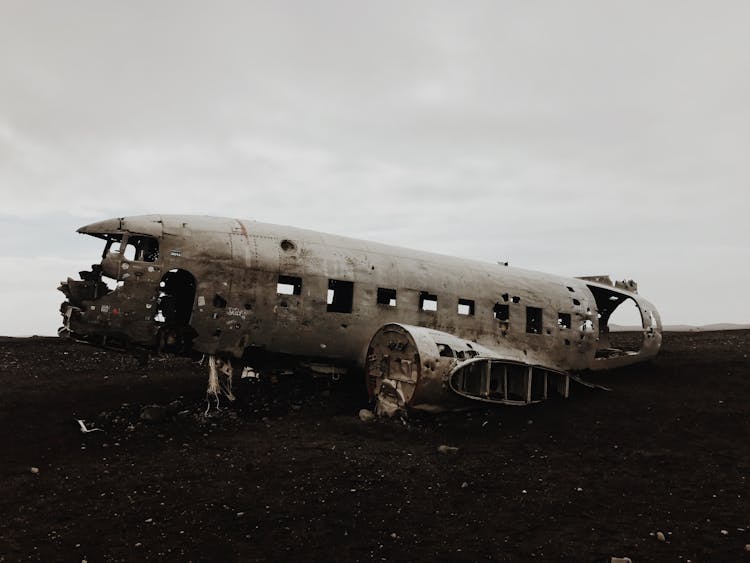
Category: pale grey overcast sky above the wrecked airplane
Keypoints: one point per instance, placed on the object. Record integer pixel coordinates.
(579, 137)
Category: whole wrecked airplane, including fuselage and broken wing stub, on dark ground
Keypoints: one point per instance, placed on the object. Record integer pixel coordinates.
(429, 331)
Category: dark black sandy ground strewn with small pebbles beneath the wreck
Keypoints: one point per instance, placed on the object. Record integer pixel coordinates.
(295, 475)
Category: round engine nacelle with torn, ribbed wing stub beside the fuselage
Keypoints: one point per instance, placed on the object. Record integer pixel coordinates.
(411, 367)
